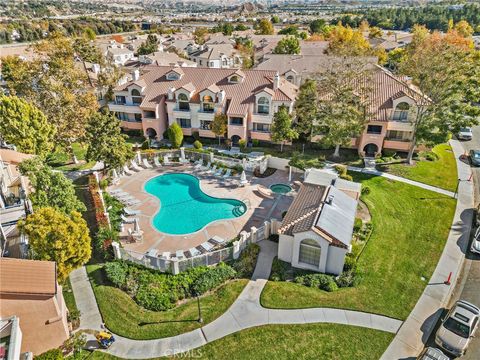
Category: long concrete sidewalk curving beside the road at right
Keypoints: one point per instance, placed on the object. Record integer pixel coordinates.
(415, 331)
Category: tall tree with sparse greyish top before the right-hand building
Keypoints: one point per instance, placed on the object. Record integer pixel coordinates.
(343, 95)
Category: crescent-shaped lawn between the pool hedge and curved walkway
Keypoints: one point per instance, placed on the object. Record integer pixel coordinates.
(124, 317)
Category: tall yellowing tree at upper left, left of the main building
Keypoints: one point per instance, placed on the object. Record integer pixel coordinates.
(57, 87)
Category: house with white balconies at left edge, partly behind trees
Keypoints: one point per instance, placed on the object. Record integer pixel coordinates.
(14, 205)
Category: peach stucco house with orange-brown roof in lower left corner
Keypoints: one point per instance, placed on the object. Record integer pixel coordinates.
(30, 292)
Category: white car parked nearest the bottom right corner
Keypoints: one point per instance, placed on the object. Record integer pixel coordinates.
(458, 328)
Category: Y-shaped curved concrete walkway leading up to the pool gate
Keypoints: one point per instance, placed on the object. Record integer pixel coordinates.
(245, 312)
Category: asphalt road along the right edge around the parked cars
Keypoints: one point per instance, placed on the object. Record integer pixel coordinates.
(468, 285)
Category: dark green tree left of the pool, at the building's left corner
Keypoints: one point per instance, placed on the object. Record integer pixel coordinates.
(105, 141)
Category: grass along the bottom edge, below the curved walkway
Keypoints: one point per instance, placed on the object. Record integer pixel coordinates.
(309, 341)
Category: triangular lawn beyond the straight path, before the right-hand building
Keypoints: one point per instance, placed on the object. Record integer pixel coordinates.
(441, 173)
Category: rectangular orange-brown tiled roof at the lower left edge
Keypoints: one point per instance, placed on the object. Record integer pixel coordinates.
(27, 277)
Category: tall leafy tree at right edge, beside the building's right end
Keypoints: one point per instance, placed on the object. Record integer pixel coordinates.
(448, 75)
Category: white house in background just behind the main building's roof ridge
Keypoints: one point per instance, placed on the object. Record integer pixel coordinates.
(218, 56)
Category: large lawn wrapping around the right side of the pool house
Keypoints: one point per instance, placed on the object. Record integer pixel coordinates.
(410, 227)
